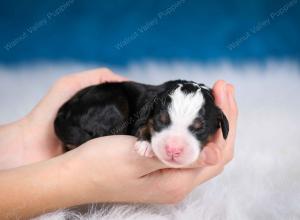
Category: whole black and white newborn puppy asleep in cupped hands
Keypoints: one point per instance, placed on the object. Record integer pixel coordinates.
(172, 121)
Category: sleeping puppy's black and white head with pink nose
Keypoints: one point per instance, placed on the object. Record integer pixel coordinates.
(184, 118)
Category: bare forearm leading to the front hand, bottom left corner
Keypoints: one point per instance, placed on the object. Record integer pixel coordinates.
(45, 184)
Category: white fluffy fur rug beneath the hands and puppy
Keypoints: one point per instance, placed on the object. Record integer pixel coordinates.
(263, 180)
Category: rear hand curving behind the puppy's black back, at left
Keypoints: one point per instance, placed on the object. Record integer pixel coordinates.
(37, 139)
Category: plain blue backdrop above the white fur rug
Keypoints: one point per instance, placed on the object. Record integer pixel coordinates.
(118, 32)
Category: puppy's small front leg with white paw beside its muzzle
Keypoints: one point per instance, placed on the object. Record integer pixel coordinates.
(143, 145)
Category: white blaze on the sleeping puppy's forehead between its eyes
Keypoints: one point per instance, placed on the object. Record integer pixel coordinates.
(184, 107)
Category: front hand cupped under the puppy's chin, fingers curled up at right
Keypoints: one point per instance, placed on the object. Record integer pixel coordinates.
(113, 172)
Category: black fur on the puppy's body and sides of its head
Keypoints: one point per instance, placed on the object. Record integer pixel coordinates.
(133, 109)
